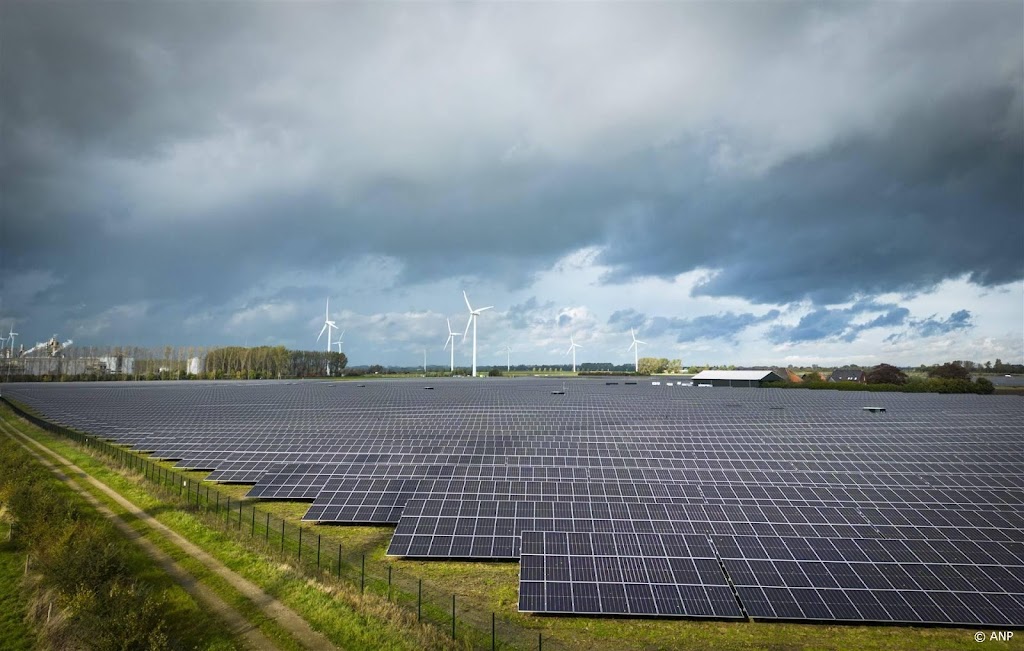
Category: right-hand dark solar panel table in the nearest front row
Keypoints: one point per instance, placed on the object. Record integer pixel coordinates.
(906, 582)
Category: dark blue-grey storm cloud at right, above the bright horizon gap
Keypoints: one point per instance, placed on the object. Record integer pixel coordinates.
(936, 196)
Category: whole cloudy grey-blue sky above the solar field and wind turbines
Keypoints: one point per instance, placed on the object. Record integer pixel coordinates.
(741, 183)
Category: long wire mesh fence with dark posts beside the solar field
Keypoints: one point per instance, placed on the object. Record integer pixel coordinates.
(470, 625)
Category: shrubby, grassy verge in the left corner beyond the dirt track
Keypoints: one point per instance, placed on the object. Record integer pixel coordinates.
(54, 543)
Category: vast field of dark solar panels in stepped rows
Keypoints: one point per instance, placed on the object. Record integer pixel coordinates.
(628, 500)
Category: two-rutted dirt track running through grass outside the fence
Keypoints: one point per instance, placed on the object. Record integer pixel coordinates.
(295, 625)
